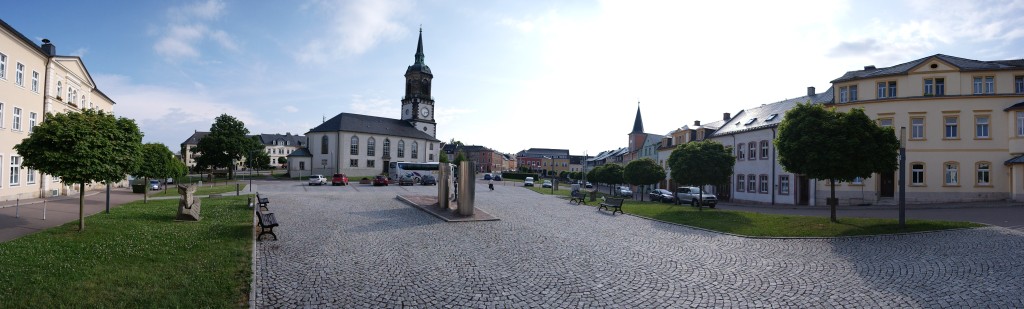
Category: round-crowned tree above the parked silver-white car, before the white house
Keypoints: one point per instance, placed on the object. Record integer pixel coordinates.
(701, 164)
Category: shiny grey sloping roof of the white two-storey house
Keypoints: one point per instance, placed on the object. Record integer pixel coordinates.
(758, 118)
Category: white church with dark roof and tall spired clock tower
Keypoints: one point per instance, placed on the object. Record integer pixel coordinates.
(365, 146)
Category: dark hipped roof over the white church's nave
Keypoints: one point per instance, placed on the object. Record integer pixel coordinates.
(373, 125)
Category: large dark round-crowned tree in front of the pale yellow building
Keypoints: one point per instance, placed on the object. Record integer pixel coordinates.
(827, 145)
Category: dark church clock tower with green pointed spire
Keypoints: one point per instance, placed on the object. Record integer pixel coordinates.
(418, 106)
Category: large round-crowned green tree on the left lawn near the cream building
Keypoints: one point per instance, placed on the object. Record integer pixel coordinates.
(82, 148)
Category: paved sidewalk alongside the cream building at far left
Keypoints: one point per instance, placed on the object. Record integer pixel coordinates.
(60, 210)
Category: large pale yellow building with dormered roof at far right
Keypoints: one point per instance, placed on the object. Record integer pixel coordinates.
(964, 124)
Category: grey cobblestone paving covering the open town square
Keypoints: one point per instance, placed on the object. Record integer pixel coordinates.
(360, 247)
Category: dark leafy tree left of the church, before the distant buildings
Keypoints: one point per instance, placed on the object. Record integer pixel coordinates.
(226, 145)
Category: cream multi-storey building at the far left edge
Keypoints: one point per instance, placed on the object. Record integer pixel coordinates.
(34, 80)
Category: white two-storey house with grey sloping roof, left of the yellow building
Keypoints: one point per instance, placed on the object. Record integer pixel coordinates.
(758, 178)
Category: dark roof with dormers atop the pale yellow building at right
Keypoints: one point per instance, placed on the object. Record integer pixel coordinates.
(902, 69)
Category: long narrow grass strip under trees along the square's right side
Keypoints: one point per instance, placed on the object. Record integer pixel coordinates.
(757, 225)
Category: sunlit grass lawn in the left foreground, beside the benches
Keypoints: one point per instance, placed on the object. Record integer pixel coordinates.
(135, 257)
